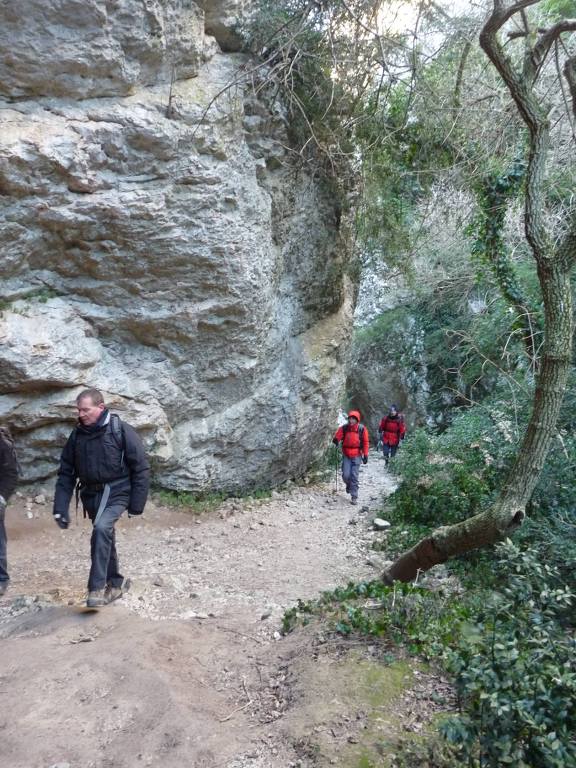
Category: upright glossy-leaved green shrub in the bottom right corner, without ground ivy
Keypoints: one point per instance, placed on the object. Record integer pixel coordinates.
(515, 672)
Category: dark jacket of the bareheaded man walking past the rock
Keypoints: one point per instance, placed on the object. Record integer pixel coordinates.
(98, 455)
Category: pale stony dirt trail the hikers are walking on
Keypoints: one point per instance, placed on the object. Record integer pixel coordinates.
(189, 668)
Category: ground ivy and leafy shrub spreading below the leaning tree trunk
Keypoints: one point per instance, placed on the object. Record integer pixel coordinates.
(513, 663)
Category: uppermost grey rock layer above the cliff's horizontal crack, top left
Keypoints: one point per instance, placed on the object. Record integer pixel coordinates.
(84, 48)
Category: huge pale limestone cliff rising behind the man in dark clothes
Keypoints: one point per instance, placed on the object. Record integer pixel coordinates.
(157, 244)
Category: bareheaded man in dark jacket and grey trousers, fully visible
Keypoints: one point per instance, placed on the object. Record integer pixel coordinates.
(107, 457)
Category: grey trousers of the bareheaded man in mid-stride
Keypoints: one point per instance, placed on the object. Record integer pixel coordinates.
(105, 567)
